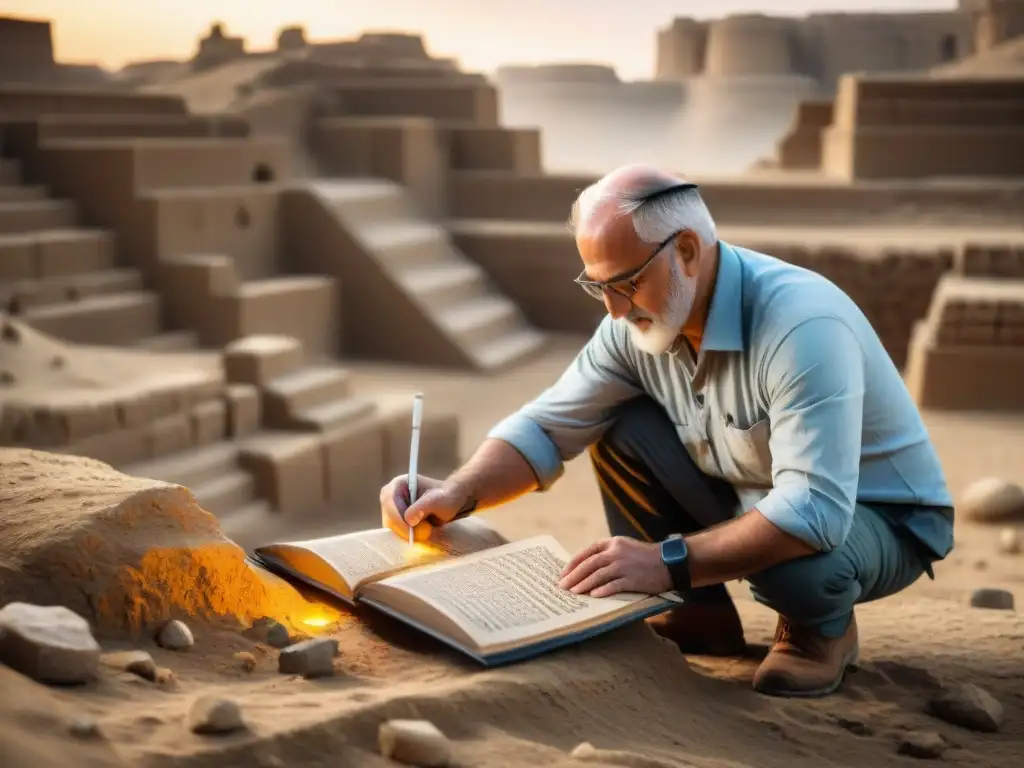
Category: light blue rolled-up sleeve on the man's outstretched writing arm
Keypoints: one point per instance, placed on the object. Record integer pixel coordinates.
(573, 414)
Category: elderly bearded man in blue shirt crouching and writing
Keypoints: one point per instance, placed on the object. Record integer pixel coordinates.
(735, 400)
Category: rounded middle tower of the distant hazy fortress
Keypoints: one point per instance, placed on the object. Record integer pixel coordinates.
(749, 46)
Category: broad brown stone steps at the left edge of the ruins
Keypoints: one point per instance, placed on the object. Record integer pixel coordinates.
(63, 279)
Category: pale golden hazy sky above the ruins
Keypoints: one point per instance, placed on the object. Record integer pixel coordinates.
(482, 34)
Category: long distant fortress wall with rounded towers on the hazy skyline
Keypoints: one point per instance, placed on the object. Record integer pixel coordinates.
(820, 47)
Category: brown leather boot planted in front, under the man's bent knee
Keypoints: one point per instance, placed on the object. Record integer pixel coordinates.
(803, 663)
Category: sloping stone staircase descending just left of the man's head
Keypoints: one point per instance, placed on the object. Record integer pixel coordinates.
(450, 300)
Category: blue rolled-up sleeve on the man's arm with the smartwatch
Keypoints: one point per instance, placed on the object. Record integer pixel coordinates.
(815, 385)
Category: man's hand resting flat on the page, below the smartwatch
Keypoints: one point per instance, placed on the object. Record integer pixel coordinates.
(617, 565)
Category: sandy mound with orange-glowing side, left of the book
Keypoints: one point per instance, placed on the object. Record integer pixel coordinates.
(123, 552)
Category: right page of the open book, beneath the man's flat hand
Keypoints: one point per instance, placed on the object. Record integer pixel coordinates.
(507, 594)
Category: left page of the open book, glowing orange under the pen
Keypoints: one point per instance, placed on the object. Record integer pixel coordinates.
(370, 554)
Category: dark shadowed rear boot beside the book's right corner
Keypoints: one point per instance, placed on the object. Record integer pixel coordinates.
(706, 629)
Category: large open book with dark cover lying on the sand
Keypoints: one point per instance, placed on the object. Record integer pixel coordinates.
(494, 601)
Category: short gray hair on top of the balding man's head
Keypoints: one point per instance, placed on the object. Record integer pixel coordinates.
(658, 209)
